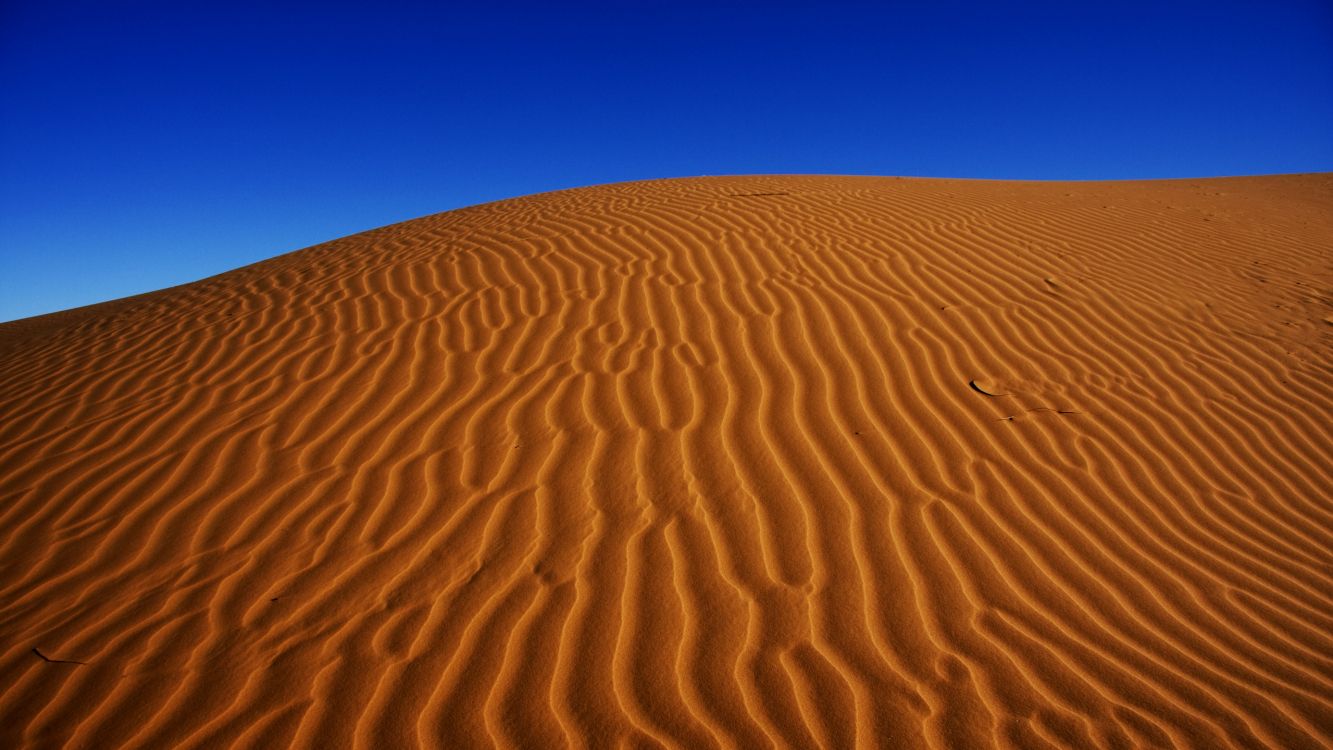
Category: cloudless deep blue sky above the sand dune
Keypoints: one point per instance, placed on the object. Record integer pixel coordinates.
(149, 145)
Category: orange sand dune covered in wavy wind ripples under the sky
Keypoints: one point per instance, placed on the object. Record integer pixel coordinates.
(706, 463)
